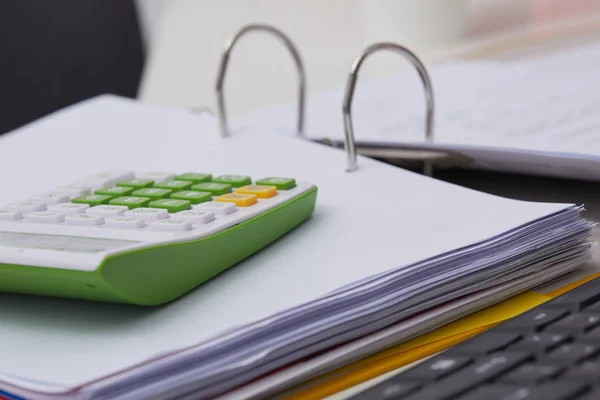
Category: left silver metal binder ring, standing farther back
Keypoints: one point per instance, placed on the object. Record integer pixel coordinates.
(225, 61)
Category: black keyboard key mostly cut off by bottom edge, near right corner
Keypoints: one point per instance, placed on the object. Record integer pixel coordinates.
(549, 391)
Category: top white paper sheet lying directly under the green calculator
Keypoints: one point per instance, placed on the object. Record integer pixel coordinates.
(400, 216)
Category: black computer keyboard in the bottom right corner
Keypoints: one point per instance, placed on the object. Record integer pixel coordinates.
(551, 352)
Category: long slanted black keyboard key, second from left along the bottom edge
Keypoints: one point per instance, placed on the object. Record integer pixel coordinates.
(481, 371)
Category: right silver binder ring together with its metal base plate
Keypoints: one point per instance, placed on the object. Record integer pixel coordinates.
(395, 154)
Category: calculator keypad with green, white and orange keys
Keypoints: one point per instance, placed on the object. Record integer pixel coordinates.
(148, 206)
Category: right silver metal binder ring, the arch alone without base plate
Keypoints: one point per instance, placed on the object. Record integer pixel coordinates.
(349, 142)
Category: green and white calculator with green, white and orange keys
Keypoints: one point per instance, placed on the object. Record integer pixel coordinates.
(144, 238)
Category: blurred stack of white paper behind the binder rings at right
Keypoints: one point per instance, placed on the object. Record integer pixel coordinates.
(539, 115)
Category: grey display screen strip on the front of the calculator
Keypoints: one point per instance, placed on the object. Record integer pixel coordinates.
(60, 243)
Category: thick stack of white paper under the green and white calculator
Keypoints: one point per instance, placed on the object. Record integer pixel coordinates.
(388, 255)
